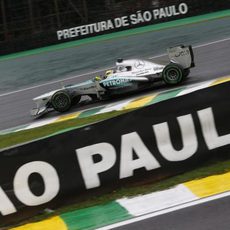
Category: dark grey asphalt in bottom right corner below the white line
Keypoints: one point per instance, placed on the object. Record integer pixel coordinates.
(212, 215)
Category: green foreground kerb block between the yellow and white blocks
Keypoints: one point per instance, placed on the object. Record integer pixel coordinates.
(95, 217)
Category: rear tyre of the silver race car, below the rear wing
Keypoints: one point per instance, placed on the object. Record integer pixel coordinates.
(173, 74)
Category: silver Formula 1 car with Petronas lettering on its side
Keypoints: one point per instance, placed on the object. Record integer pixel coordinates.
(129, 75)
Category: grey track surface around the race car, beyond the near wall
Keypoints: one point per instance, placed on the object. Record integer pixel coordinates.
(36, 73)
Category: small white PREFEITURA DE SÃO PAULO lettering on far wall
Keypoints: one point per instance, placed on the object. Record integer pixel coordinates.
(140, 17)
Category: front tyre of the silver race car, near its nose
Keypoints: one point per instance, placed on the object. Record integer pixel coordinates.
(61, 101)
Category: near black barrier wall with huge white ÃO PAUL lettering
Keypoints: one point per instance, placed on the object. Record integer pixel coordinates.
(155, 141)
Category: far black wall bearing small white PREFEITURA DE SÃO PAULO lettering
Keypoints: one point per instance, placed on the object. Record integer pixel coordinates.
(56, 27)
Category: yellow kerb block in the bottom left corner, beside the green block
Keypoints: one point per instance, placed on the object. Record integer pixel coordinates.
(49, 224)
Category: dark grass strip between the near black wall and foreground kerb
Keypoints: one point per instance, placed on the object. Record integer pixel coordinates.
(212, 167)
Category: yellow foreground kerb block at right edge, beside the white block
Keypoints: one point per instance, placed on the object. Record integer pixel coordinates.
(210, 185)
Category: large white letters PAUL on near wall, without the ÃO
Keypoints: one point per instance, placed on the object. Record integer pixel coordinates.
(132, 142)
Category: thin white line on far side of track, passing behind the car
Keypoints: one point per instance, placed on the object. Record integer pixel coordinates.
(104, 69)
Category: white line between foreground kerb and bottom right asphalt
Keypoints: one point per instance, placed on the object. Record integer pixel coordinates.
(165, 211)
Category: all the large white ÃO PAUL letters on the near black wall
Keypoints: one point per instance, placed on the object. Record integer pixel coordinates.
(108, 156)
